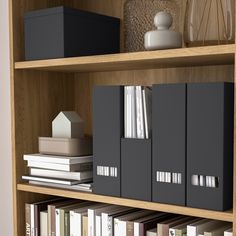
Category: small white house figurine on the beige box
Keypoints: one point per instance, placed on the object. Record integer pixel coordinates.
(68, 124)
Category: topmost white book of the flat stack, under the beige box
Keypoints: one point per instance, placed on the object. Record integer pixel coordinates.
(66, 160)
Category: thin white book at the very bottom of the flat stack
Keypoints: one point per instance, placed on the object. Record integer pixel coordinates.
(79, 187)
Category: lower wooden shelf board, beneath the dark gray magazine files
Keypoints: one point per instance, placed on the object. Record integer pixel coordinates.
(224, 216)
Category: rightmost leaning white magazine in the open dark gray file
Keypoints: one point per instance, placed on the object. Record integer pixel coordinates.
(147, 110)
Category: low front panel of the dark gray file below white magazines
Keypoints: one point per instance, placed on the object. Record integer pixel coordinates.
(136, 169)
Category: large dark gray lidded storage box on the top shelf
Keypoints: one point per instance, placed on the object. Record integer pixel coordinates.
(65, 32)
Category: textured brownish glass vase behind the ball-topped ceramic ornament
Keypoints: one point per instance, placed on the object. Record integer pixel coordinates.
(138, 19)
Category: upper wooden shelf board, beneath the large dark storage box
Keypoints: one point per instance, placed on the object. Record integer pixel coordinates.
(182, 57)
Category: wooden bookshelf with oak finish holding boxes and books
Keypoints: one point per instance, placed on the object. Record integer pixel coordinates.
(40, 89)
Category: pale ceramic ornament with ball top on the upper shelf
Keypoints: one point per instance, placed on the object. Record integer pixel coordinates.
(163, 37)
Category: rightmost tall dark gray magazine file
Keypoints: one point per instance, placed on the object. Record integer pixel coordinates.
(210, 109)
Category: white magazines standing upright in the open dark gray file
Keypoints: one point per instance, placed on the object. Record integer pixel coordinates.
(137, 111)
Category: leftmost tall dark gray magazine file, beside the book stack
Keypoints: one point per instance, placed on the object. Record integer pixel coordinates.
(108, 128)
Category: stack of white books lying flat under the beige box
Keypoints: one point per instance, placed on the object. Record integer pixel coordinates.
(60, 171)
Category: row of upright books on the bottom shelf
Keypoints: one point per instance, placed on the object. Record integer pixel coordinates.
(76, 218)
